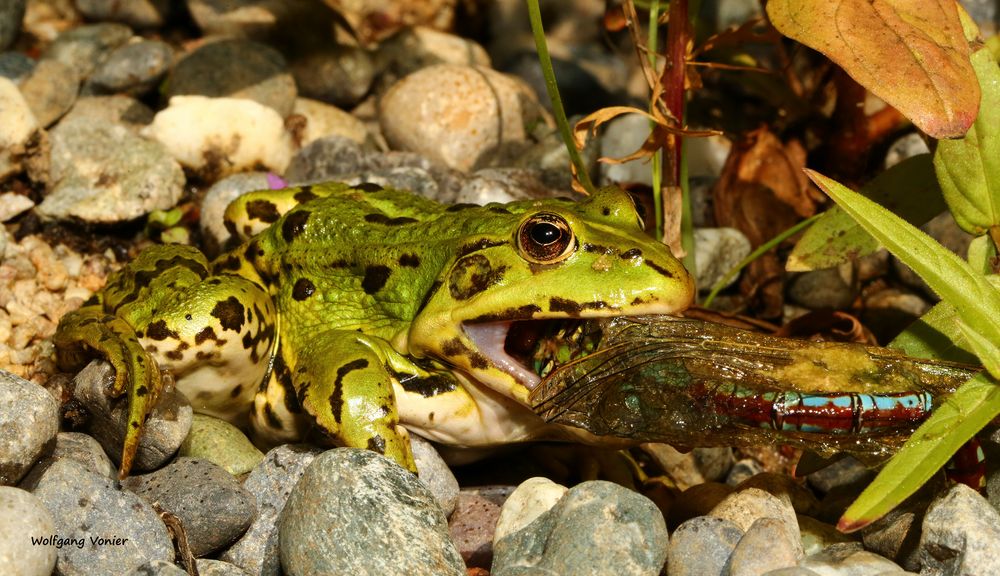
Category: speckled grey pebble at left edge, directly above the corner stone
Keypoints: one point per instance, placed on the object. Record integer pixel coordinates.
(29, 421)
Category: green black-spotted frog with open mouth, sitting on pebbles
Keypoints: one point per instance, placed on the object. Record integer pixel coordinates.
(358, 314)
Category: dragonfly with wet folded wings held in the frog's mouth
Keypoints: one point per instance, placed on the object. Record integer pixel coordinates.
(693, 383)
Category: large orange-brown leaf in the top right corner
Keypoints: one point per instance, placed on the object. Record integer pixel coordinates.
(912, 54)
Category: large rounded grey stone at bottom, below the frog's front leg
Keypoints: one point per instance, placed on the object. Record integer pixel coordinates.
(349, 498)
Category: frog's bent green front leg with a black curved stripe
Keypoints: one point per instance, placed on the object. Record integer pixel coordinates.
(343, 382)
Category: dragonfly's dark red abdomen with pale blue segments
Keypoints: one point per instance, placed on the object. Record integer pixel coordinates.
(834, 413)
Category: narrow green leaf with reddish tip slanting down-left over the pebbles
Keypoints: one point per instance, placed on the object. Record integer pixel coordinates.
(963, 414)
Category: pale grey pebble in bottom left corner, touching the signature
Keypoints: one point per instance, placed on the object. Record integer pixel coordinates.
(24, 517)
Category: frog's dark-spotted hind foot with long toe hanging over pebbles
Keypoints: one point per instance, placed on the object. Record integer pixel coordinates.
(90, 330)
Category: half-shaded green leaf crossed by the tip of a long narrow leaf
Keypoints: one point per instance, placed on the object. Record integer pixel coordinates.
(909, 189)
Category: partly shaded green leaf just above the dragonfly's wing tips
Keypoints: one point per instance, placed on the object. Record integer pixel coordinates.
(936, 335)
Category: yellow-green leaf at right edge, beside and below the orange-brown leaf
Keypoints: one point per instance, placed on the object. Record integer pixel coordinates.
(969, 167)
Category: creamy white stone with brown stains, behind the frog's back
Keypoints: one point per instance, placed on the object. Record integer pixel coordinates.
(216, 137)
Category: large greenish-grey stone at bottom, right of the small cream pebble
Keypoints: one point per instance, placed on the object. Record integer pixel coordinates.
(596, 528)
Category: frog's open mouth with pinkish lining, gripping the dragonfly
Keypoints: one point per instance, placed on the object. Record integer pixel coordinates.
(529, 349)
